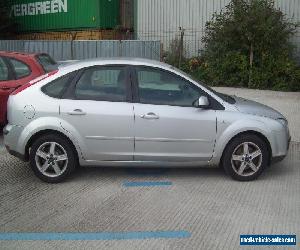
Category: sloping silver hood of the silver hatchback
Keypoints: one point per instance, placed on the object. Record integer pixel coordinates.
(255, 108)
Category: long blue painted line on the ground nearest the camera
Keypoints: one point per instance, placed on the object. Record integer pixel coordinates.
(94, 236)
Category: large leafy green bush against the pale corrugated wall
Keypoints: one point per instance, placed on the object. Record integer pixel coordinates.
(248, 44)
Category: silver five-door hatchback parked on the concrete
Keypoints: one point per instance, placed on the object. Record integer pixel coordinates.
(138, 113)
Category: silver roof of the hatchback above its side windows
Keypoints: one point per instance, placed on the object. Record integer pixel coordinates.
(115, 60)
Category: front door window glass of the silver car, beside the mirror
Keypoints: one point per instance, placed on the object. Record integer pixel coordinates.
(164, 88)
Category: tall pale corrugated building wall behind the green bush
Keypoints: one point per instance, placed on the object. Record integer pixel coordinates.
(161, 19)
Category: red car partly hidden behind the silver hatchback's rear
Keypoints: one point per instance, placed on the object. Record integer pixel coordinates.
(17, 69)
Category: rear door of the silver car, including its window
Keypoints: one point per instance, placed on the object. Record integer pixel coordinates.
(98, 107)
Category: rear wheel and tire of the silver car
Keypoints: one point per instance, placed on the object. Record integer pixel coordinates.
(52, 158)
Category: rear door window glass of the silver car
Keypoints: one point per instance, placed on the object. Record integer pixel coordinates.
(106, 83)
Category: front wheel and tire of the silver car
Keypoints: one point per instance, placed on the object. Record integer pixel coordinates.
(246, 157)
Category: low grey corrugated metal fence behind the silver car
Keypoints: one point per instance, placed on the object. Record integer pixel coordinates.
(76, 50)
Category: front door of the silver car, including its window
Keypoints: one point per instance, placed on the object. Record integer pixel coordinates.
(168, 127)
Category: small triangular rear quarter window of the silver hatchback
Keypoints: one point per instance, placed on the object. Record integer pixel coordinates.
(57, 87)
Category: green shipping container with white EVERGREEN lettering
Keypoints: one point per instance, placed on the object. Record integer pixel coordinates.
(59, 15)
